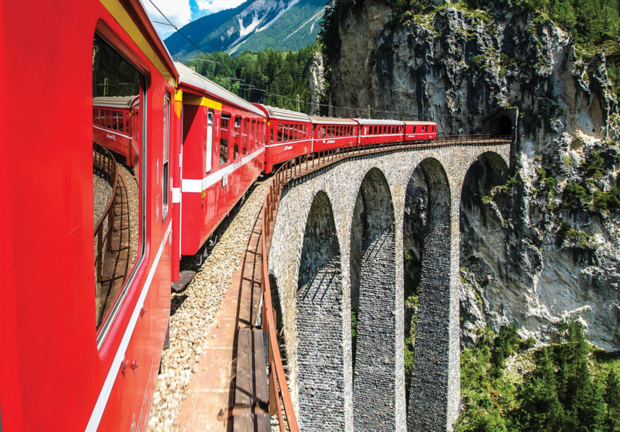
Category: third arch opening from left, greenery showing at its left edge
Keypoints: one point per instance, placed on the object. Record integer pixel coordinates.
(427, 246)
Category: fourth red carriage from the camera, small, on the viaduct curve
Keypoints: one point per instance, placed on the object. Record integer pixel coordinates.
(333, 133)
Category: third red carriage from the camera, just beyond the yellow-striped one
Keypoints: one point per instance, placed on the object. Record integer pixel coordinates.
(289, 134)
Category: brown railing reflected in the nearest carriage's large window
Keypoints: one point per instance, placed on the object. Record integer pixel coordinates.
(104, 162)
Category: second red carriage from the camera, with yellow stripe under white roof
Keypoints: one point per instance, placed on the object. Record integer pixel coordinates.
(223, 154)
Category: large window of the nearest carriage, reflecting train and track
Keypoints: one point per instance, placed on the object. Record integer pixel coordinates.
(119, 182)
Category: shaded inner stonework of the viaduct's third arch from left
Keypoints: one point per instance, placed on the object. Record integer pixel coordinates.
(432, 361)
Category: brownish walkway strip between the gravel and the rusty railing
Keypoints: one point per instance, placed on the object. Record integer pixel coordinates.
(229, 390)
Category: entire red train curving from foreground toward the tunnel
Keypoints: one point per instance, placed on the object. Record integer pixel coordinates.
(81, 349)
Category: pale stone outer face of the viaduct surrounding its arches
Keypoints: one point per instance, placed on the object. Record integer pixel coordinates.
(341, 183)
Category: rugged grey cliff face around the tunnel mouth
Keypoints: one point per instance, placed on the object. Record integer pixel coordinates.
(539, 246)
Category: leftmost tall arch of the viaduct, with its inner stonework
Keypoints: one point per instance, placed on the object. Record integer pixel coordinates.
(319, 315)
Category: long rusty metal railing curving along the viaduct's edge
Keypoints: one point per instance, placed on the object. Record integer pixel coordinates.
(296, 168)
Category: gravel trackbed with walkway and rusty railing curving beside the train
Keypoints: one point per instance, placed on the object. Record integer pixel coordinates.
(238, 264)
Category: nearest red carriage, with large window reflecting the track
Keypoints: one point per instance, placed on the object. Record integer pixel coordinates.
(78, 352)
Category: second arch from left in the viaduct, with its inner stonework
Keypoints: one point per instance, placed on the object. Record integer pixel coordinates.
(373, 288)
